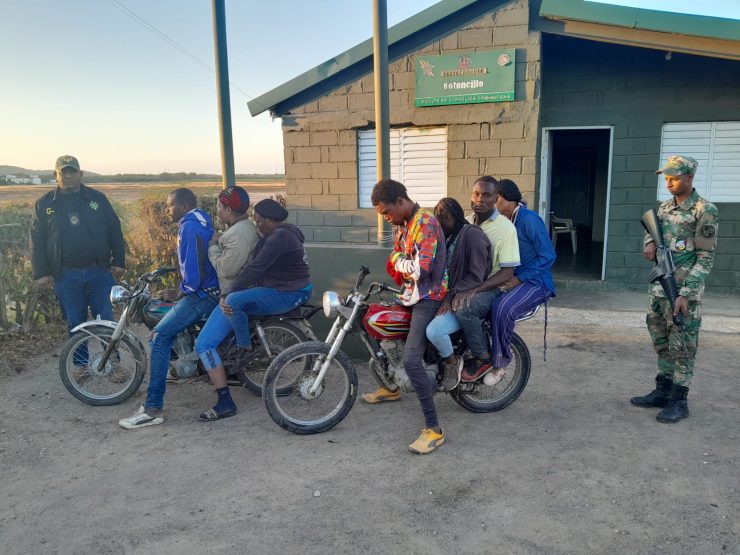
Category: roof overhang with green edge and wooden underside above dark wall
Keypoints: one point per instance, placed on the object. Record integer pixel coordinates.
(673, 32)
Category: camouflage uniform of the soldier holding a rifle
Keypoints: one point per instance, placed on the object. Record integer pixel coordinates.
(690, 232)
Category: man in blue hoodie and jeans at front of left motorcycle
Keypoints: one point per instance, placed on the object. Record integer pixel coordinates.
(196, 297)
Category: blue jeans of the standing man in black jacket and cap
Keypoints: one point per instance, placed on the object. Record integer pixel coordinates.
(79, 290)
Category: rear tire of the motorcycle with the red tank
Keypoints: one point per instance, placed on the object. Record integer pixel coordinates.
(479, 397)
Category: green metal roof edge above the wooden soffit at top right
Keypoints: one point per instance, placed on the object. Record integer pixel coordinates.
(646, 20)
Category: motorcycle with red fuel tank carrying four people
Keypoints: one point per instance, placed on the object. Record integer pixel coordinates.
(310, 387)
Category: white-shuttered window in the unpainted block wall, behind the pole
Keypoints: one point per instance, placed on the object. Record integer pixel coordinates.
(418, 160)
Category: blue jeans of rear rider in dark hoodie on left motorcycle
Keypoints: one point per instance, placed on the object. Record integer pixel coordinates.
(257, 301)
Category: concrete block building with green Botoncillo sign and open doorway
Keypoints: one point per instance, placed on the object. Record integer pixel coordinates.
(594, 98)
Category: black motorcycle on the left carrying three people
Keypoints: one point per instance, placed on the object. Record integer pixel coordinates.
(103, 362)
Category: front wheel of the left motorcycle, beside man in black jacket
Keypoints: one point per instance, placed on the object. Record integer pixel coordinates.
(114, 384)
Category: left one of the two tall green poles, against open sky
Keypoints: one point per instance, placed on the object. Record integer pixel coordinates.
(224, 99)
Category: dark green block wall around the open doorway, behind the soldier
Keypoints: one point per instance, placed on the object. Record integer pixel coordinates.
(637, 90)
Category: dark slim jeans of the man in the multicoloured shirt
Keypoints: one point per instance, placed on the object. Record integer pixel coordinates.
(413, 358)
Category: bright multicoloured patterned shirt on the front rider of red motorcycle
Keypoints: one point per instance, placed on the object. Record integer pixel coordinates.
(418, 259)
